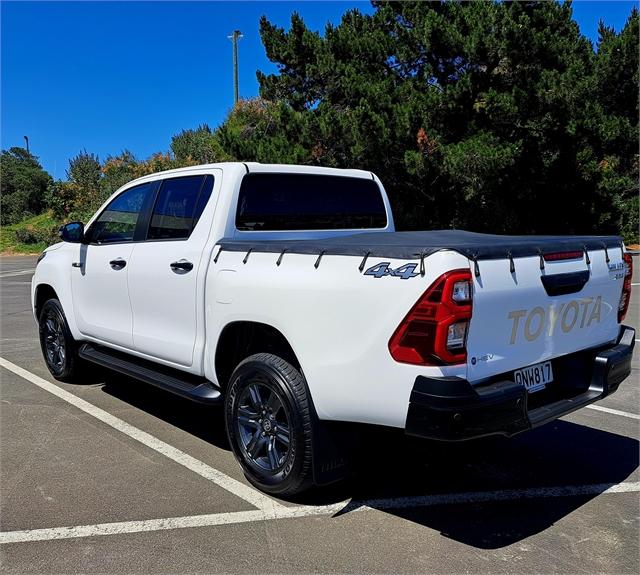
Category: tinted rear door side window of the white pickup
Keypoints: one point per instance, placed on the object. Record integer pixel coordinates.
(179, 206)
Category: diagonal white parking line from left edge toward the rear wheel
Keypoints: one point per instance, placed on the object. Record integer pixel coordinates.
(262, 502)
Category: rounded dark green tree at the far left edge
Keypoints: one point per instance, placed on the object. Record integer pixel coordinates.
(23, 185)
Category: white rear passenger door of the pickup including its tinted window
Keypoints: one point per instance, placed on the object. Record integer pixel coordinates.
(164, 270)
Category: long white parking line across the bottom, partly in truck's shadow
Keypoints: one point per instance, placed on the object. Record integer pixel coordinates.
(216, 519)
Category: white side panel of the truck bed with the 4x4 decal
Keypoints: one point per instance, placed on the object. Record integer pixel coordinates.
(338, 322)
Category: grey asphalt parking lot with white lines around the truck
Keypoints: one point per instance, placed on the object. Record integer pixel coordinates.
(113, 476)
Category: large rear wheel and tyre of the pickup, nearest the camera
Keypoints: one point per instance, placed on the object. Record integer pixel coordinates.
(268, 416)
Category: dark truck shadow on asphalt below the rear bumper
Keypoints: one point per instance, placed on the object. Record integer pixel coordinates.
(560, 454)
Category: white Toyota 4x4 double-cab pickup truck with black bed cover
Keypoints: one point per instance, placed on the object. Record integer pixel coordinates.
(284, 293)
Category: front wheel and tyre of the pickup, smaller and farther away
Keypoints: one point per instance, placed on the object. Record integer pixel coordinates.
(59, 349)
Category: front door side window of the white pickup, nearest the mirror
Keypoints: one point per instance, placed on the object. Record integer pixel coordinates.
(117, 223)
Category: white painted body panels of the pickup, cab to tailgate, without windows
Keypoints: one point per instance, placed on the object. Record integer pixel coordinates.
(337, 320)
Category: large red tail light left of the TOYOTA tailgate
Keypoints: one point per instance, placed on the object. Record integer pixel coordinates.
(434, 332)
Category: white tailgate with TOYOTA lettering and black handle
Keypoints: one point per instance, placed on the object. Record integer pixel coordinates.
(530, 315)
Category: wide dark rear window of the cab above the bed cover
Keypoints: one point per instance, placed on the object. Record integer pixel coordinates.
(280, 202)
